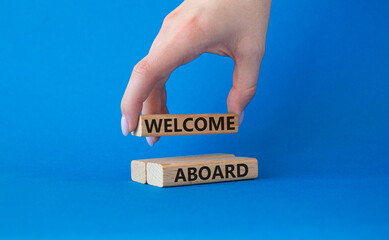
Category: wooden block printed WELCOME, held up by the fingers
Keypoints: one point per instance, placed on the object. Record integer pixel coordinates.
(186, 124)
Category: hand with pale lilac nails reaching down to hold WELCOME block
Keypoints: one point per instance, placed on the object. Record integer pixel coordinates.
(234, 28)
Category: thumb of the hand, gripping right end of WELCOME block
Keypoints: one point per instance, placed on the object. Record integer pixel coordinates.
(245, 78)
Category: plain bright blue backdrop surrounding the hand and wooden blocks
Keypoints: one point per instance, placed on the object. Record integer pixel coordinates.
(318, 125)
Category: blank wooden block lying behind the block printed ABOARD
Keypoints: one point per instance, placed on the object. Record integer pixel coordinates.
(139, 167)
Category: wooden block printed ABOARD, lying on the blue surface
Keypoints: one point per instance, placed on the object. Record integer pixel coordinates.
(198, 171)
